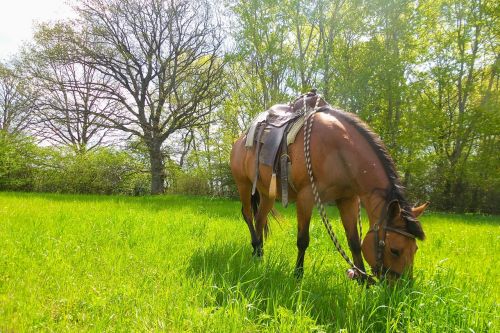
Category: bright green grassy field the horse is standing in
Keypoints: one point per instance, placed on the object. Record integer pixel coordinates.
(177, 264)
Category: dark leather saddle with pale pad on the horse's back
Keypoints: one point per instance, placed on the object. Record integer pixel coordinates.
(271, 132)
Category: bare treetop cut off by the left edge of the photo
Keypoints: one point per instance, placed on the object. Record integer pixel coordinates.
(16, 101)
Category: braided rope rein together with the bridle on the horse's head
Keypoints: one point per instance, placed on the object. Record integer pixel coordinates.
(382, 223)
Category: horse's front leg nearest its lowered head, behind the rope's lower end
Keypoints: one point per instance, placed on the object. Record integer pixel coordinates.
(349, 209)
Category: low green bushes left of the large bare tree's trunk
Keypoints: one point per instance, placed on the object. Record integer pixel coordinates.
(25, 166)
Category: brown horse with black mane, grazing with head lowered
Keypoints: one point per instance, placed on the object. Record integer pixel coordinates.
(349, 163)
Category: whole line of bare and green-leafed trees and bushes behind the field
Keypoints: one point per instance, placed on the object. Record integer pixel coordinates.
(148, 95)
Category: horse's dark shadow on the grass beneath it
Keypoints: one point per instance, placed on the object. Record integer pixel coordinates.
(325, 296)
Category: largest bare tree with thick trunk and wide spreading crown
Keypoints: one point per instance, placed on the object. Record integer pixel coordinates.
(164, 59)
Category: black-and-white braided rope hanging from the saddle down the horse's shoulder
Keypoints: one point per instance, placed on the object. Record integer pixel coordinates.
(319, 204)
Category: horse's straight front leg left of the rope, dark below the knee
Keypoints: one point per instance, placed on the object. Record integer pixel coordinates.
(304, 212)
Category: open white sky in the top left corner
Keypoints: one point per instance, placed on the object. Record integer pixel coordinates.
(18, 18)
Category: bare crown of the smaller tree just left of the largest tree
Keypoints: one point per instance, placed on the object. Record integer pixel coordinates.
(70, 111)
